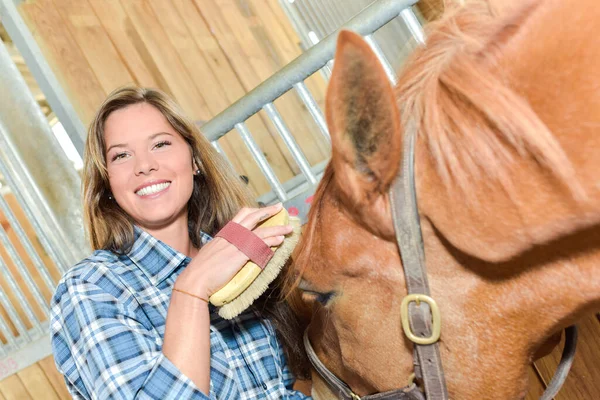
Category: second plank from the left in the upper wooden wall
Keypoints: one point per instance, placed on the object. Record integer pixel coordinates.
(81, 20)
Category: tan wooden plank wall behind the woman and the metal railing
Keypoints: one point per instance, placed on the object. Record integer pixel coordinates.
(205, 53)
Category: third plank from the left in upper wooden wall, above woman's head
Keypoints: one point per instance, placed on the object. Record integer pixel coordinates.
(128, 44)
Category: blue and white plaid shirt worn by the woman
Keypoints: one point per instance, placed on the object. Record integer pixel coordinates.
(108, 322)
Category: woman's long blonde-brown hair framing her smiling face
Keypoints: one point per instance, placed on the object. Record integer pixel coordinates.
(217, 196)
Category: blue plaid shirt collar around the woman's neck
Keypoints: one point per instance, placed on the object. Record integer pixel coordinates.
(156, 259)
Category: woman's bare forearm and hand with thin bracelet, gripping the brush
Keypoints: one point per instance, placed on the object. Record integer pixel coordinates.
(187, 334)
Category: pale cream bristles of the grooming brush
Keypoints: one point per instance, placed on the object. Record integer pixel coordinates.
(267, 275)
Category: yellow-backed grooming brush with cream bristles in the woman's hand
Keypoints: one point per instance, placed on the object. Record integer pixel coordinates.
(250, 281)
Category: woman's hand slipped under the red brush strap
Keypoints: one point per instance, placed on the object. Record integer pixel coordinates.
(218, 261)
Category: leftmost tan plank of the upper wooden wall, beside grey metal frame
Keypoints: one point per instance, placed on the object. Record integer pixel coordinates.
(66, 60)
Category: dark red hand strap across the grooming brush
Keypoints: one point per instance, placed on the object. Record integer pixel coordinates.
(246, 242)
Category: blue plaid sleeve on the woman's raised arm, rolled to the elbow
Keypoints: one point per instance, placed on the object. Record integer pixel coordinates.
(107, 351)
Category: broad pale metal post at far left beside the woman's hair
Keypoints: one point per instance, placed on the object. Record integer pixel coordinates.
(37, 169)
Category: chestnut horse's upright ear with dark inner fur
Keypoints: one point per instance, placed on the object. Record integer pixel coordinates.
(363, 120)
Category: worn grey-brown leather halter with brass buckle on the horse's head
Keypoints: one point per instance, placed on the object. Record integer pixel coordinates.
(421, 322)
